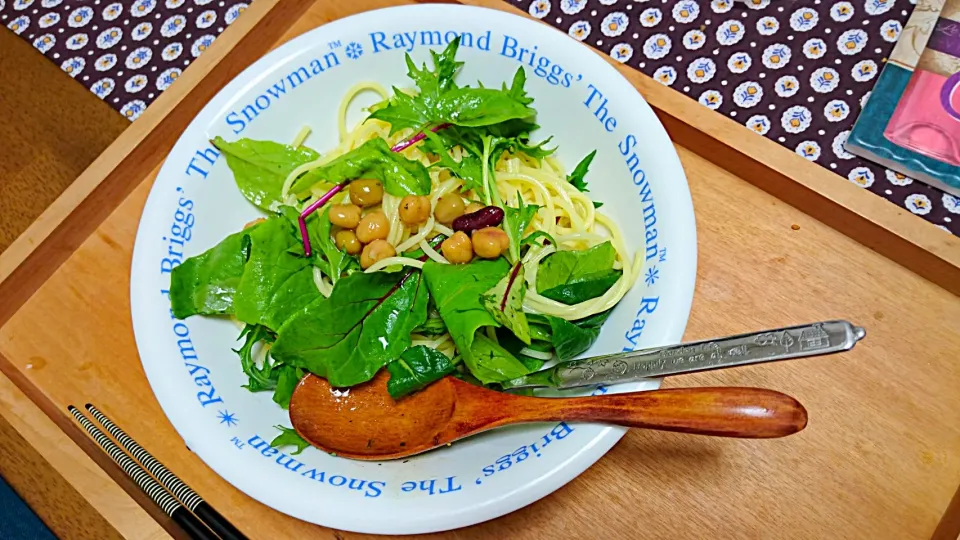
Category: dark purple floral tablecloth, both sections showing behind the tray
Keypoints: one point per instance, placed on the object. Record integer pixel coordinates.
(795, 71)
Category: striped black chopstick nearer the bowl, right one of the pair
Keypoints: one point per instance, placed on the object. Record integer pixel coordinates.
(180, 490)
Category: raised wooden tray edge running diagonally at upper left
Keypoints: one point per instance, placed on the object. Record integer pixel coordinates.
(73, 216)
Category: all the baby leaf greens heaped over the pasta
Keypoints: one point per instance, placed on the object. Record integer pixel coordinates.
(269, 276)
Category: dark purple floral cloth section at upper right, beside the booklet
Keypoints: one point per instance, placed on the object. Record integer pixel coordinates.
(795, 71)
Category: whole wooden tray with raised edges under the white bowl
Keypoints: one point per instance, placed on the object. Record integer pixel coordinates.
(879, 459)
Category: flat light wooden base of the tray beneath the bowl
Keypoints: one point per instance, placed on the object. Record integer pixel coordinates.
(879, 458)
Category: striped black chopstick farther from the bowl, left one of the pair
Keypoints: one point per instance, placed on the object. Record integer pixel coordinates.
(171, 506)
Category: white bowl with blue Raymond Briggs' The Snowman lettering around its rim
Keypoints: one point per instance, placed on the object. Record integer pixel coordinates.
(194, 204)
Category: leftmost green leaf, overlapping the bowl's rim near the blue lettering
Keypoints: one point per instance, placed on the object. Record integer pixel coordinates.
(206, 284)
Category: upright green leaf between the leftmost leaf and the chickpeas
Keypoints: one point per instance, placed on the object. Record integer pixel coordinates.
(277, 281)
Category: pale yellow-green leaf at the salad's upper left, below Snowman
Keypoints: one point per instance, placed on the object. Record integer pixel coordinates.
(260, 167)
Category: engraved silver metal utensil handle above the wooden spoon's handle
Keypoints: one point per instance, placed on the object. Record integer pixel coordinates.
(781, 344)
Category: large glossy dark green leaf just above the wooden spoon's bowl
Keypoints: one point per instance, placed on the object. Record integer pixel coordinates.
(365, 324)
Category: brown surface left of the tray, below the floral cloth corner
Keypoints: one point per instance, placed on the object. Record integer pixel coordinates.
(51, 128)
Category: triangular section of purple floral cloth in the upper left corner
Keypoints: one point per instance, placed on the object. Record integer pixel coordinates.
(126, 53)
